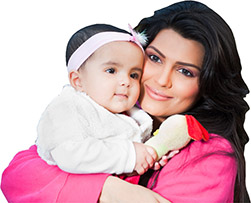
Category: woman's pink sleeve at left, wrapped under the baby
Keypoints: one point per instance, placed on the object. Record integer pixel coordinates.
(29, 179)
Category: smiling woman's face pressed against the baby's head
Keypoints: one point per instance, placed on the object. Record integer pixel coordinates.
(170, 82)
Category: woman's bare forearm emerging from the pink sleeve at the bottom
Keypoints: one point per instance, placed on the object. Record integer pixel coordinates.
(117, 190)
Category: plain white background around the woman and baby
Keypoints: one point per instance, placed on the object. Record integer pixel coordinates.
(33, 38)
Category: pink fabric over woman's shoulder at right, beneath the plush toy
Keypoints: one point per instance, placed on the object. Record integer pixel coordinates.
(209, 168)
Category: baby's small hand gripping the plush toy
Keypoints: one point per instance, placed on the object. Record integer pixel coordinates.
(146, 156)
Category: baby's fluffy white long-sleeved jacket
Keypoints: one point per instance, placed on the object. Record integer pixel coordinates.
(80, 136)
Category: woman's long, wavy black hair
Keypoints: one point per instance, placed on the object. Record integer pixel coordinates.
(221, 107)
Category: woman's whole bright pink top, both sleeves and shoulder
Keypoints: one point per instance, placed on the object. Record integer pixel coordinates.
(209, 179)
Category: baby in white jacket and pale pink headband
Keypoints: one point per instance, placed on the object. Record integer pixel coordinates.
(93, 126)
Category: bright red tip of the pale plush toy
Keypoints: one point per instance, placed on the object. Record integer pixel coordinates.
(195, 130)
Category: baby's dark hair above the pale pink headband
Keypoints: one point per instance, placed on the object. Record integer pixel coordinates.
(78, 38)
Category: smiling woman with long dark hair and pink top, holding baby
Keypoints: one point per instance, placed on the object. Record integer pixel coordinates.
(192, 67)
